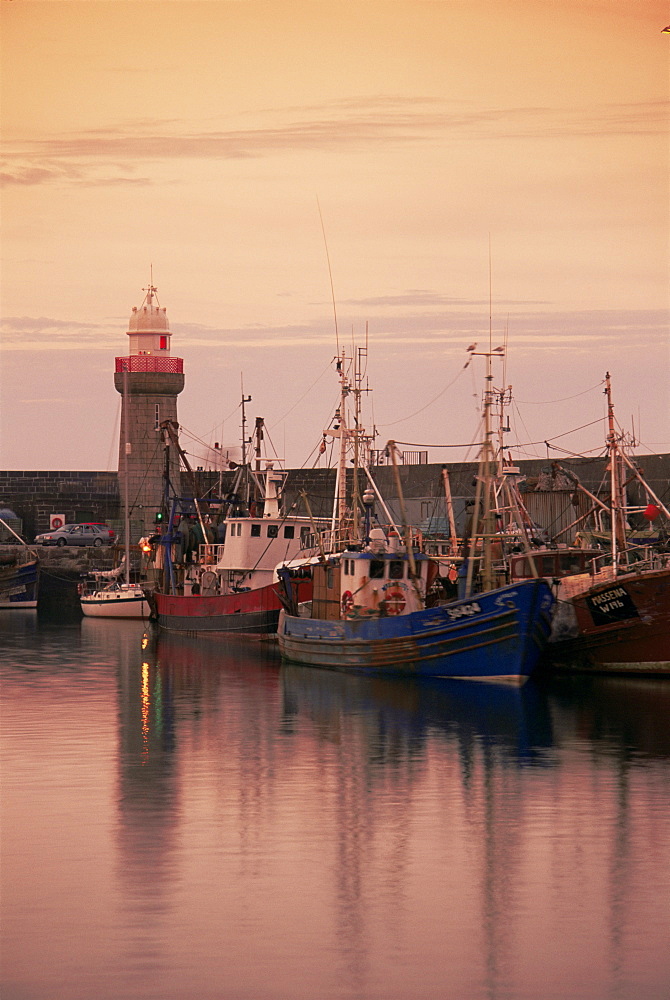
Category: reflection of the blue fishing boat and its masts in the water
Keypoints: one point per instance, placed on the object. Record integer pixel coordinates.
(396, 728)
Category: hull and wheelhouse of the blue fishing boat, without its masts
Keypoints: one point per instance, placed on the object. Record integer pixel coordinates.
(494, 636)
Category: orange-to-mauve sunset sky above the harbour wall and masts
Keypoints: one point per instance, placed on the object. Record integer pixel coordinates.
(209, 140)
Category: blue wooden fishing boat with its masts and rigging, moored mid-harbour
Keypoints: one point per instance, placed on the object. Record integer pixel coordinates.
(375, 607)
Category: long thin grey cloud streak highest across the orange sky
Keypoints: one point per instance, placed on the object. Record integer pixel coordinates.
(346, 126)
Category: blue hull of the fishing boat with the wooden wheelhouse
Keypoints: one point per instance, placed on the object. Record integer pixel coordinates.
(497, 636)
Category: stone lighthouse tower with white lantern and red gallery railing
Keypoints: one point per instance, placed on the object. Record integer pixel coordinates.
(149, 381)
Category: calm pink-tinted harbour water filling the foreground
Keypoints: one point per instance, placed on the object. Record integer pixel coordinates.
(182, 820)
